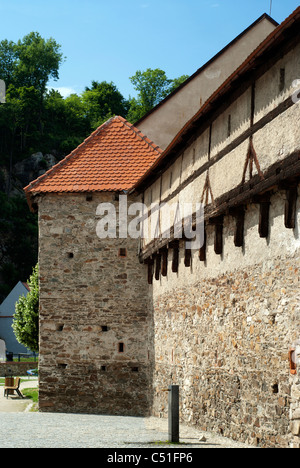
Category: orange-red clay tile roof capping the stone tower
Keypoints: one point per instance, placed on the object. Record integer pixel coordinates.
(113, 158)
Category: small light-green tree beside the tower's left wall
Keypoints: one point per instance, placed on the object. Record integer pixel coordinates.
(26, 318)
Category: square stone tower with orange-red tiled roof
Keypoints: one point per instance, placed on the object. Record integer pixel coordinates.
(94, 320)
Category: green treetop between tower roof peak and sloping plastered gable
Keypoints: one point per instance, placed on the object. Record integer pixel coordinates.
(152, 87)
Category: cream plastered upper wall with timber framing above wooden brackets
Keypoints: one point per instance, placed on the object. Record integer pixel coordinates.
(275, 141)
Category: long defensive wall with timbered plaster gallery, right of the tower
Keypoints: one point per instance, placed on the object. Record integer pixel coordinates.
(226, 316)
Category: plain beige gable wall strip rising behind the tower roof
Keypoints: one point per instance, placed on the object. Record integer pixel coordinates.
(165, 120)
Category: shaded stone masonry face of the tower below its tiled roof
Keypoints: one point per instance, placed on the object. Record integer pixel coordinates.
(94, 348)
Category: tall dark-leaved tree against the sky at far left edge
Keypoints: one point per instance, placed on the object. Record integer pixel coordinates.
(26, 67)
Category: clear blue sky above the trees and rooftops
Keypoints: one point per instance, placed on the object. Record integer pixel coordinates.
(111, 40)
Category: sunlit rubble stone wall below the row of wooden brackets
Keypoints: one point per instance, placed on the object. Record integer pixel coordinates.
(223, 331)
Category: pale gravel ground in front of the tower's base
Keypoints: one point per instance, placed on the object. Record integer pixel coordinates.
(20, 428)
